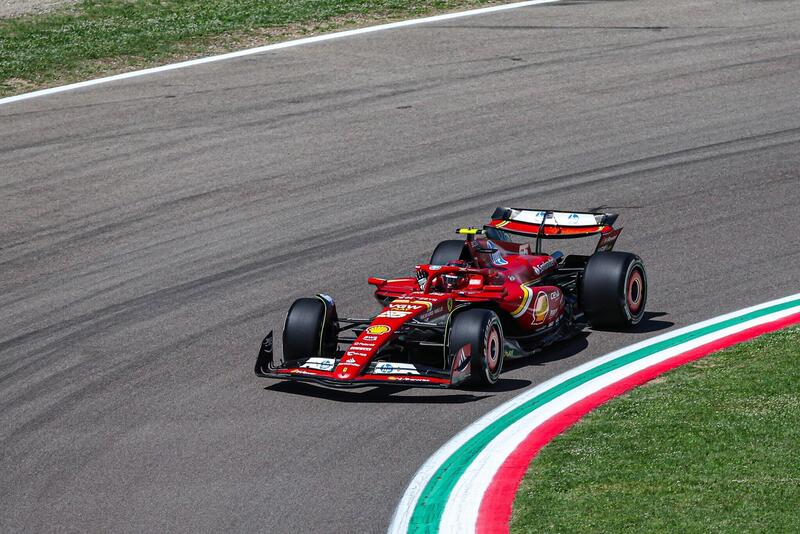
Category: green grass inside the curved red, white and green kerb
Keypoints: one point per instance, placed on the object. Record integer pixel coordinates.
(713, 446)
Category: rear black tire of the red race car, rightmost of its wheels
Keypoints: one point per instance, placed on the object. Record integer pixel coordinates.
(614, 290)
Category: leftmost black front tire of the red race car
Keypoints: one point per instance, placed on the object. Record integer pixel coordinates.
(307, 330)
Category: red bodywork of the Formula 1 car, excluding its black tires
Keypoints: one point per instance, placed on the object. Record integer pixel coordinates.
(504, 276)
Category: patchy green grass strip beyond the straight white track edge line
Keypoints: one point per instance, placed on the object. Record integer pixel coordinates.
(96, 37)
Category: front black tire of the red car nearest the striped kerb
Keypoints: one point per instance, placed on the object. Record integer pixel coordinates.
(482, 330)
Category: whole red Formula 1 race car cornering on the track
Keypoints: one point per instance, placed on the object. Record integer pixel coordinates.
(480, 300)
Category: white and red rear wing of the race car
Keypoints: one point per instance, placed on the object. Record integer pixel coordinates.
(551, 224)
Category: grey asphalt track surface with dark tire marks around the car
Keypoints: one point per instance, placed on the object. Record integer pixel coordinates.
(153, 230)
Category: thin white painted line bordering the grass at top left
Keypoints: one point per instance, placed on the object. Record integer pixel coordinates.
(269, 48)
